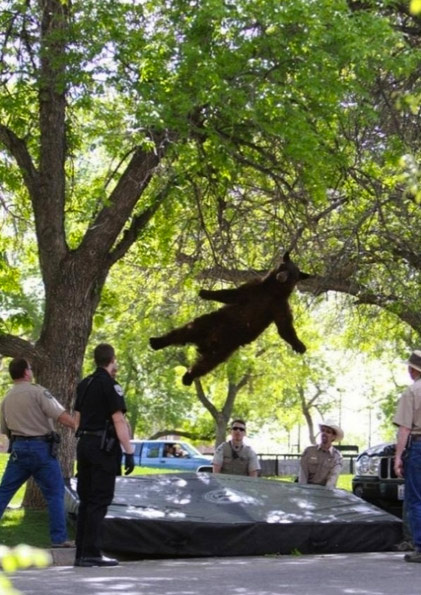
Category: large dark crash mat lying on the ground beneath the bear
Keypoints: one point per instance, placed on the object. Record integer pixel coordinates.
(205, 514)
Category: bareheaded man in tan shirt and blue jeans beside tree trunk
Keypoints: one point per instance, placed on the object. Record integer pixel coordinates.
(28, 413)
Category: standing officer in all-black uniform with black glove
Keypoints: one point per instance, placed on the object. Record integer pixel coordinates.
(102, 427)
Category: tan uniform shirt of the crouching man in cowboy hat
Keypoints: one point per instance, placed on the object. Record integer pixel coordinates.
(321, 467)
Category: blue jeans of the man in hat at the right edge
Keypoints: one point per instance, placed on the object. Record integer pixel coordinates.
(413, 491)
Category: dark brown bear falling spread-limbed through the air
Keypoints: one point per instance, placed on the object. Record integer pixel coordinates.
(249, 311)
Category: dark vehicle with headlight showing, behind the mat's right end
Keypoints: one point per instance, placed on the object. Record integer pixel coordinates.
(375, 479)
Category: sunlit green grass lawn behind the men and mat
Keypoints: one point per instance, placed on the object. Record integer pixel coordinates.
(19, 525)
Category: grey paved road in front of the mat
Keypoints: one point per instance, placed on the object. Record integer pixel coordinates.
(333, 574)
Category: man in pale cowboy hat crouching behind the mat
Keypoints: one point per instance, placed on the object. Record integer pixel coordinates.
(322, 464)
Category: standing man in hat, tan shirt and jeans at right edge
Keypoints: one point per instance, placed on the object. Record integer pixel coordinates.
(408, 420)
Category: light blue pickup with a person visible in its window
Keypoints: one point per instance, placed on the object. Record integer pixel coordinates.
(170, 454)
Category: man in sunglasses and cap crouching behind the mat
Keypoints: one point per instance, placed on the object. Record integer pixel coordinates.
(235, 457)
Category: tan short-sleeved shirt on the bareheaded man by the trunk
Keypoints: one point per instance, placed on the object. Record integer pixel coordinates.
(29, 410)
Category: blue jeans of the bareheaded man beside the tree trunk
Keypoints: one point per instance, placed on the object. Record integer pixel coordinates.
(32, 458)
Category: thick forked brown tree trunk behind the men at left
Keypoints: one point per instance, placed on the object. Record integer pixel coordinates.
(73, 279)
